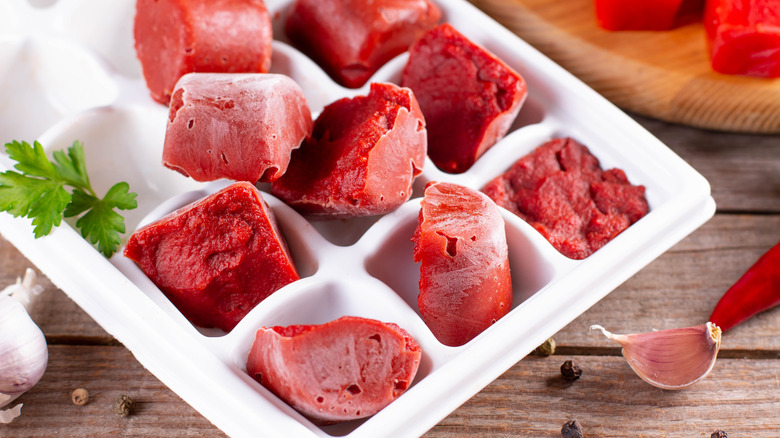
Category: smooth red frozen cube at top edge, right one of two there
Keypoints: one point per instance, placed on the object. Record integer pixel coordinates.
(351, 39)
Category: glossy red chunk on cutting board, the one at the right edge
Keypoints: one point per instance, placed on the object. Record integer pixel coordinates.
(744, 36)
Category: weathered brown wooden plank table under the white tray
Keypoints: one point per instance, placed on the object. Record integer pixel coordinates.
(741, 395)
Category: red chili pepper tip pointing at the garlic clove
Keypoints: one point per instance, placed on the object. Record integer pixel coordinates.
(756, 291)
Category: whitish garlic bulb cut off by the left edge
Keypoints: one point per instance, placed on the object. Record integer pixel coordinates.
(23, 350)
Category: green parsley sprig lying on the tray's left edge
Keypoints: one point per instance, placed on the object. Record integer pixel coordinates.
(38, 191)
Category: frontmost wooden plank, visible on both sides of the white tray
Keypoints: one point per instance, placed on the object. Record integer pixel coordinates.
(531, 399)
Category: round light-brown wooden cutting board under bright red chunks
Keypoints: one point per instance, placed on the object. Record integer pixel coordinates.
(665, 75)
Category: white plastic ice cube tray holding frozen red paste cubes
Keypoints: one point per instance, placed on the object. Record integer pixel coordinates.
(68, 71)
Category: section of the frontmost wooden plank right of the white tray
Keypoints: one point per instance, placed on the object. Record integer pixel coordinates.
(740, 397)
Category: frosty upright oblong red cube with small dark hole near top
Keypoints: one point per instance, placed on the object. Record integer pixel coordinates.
(460, 243)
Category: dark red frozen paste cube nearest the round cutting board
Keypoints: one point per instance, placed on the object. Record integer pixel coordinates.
(468, 96)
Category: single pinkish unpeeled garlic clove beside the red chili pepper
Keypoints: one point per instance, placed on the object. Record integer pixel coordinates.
(673, 358)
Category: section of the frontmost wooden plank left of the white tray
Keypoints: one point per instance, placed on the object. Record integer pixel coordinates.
(106, 372)
